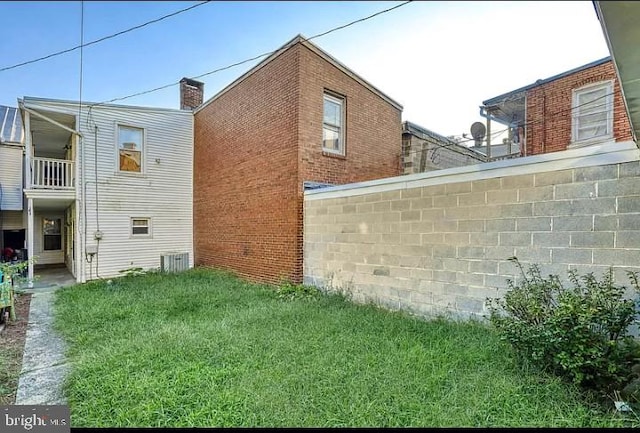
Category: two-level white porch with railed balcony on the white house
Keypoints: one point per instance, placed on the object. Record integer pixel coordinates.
(51, 195)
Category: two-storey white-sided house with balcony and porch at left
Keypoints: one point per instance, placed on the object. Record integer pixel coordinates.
(100, 188)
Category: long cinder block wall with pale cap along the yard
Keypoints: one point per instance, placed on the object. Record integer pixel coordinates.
(440, 241)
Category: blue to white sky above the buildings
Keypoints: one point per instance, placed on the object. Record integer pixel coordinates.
(438, 59)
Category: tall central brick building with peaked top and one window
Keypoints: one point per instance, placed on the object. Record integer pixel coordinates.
(298, 118)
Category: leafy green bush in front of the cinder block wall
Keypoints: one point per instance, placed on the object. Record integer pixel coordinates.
(580, 333)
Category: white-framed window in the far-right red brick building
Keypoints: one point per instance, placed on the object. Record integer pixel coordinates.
(592, 112)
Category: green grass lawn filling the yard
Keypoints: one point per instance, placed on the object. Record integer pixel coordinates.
(204, 348)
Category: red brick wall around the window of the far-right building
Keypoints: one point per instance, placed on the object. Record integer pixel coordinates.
(549, 110)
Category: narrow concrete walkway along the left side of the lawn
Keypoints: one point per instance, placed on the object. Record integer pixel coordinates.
(43, 363)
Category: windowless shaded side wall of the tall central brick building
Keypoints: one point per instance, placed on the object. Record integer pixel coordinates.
(245, 174)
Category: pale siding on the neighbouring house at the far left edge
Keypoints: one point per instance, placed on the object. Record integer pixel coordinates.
(11, 177)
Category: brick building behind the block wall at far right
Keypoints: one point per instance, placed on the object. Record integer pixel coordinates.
(580, 107)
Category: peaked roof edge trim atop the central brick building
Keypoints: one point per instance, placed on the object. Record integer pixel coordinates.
(299, 39)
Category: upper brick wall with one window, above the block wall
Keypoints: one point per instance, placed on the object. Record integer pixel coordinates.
(373, 127)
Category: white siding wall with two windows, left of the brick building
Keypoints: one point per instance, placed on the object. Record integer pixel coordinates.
(162, 192)
